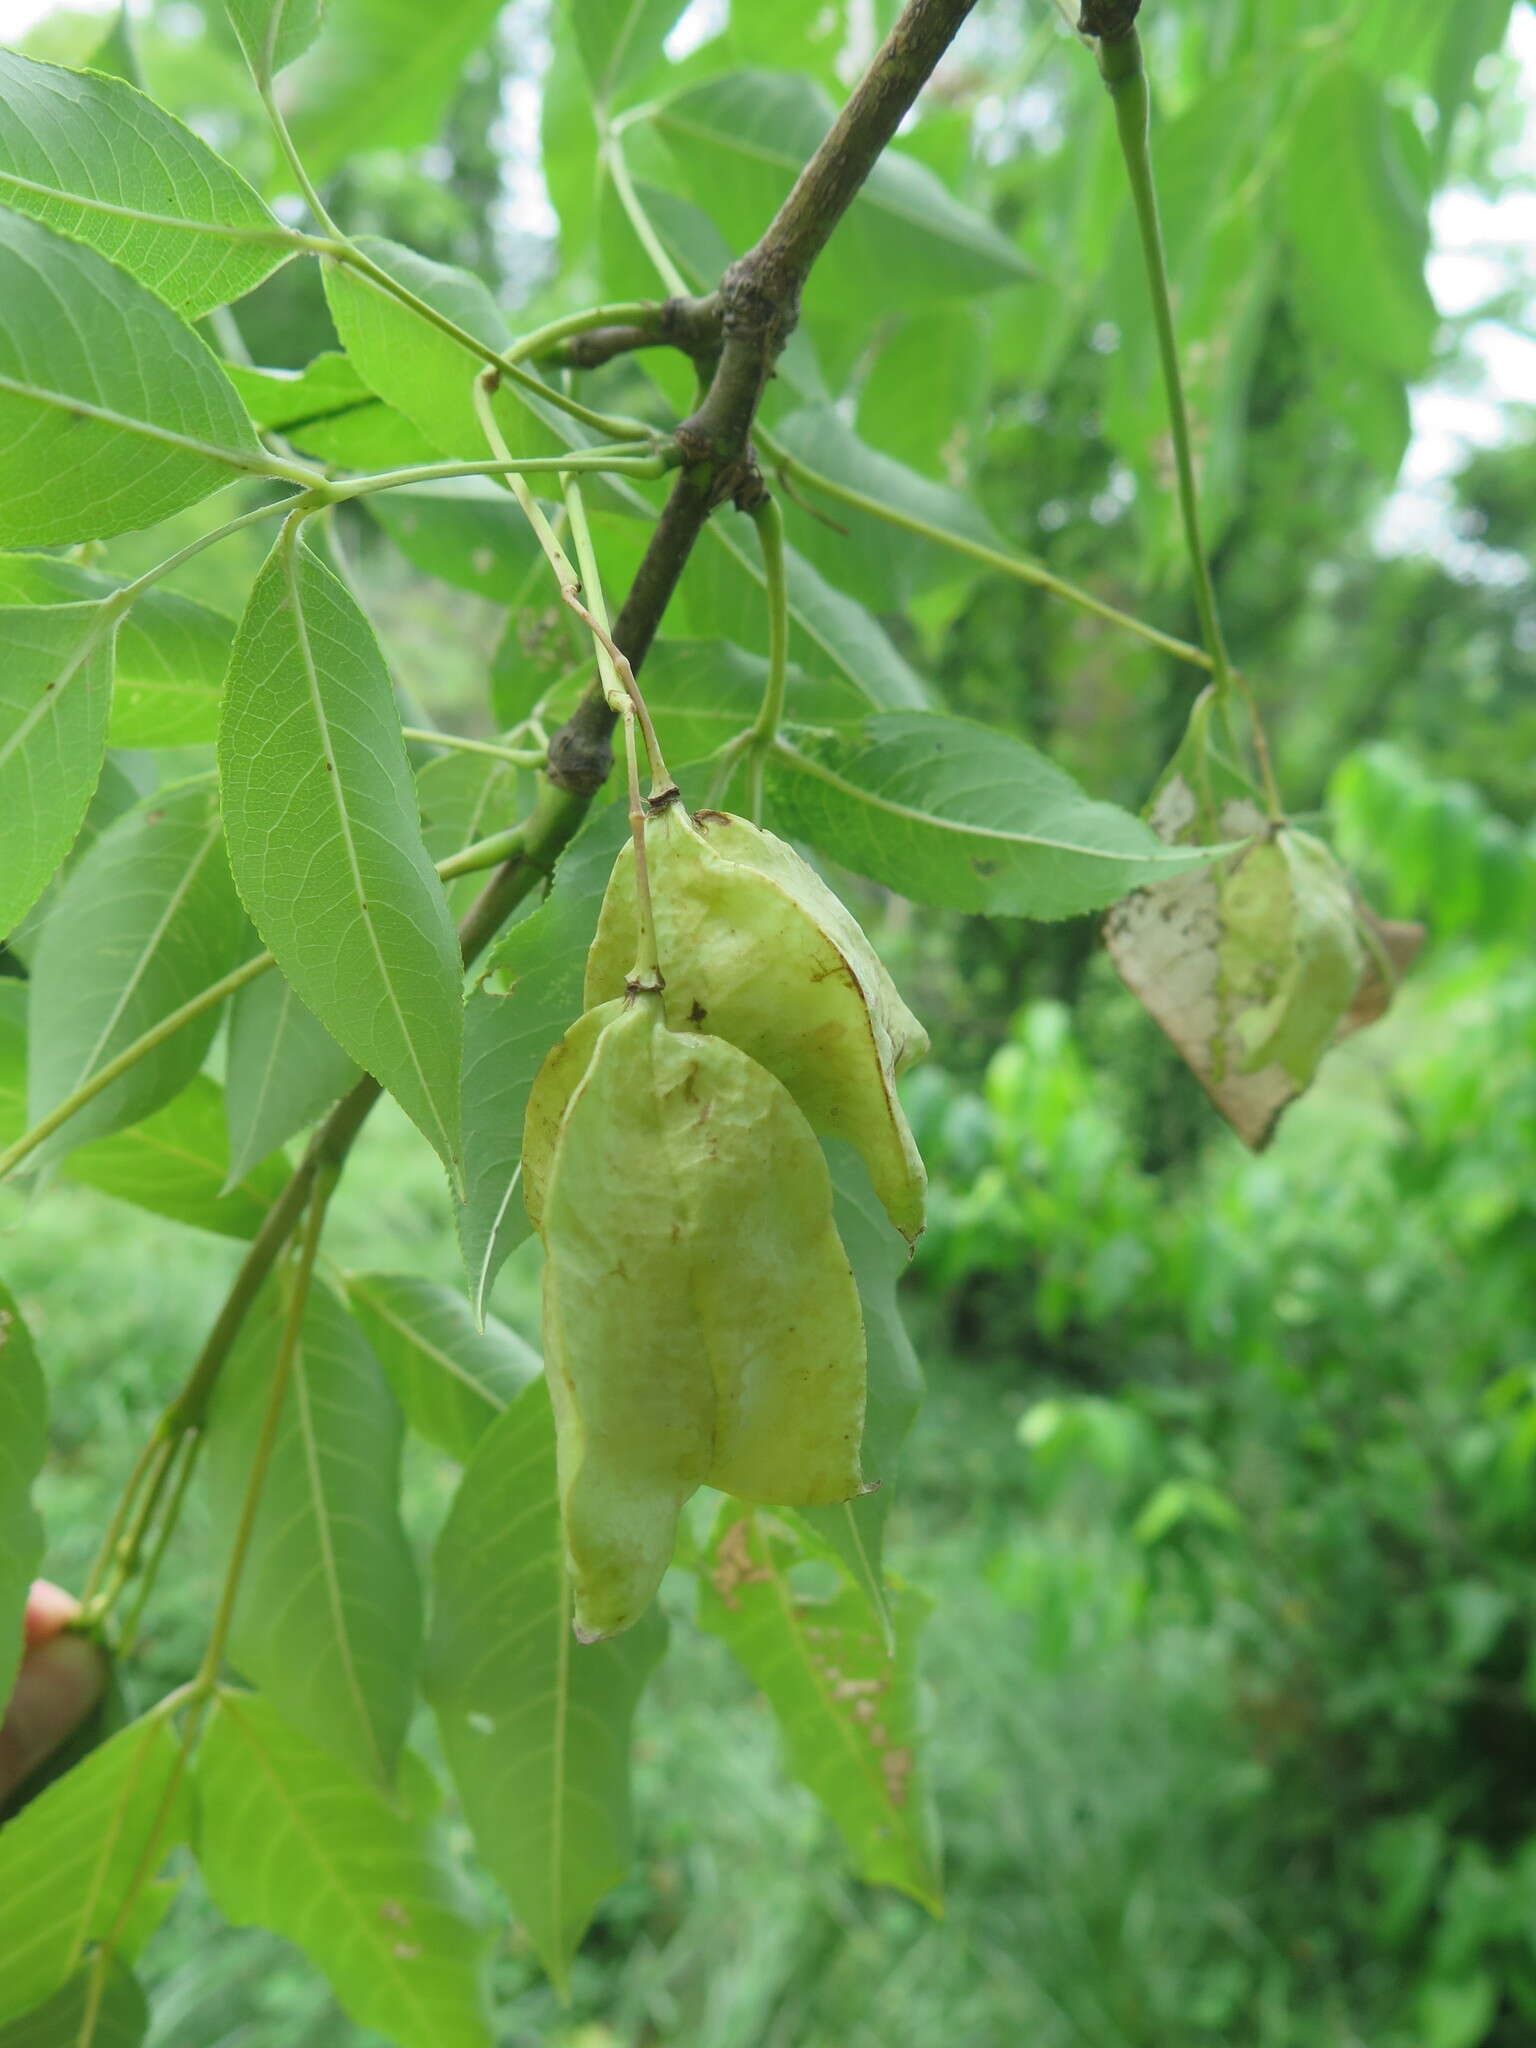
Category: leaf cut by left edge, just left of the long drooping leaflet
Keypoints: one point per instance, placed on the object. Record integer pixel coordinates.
(56, 691)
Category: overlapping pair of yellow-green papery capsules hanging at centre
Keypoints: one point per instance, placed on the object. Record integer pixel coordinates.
(701, 1318)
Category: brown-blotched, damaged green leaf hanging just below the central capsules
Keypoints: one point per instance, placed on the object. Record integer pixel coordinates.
(845, 1707)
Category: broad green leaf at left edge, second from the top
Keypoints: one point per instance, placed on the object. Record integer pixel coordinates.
(112, 413)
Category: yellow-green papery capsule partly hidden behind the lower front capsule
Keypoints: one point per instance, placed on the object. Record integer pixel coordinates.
(757, 949)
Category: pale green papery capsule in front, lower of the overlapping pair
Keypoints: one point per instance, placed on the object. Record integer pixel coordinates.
(701, 1320)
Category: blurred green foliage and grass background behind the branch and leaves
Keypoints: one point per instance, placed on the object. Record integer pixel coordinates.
(1226, 1488)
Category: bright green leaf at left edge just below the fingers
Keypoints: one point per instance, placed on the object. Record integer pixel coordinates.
(73, 1854)
